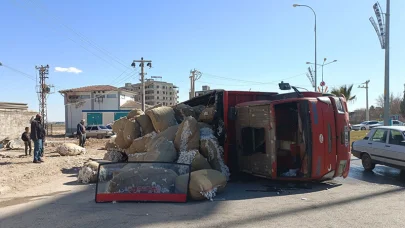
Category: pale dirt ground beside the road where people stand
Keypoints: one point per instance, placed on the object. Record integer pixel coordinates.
(18, 173)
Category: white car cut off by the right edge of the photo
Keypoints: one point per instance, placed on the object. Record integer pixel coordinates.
(383, 145)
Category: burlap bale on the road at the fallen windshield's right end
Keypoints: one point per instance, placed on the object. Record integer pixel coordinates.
(204, 184)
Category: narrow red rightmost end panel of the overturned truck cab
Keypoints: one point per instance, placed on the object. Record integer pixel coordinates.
(342, 136)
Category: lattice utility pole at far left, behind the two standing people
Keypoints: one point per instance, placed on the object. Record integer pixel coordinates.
(43, 90)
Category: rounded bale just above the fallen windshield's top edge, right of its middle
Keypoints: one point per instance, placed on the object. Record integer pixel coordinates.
(161, 150)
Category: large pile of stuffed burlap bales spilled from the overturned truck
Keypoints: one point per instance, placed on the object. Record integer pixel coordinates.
(166, 134)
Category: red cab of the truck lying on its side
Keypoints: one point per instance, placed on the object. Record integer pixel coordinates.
(304, 136)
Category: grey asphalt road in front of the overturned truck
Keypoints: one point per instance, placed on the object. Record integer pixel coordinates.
(362, 200)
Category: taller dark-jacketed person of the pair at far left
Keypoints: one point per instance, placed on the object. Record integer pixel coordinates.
(37, 135)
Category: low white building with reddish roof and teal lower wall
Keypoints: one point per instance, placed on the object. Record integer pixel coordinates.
(98, 105)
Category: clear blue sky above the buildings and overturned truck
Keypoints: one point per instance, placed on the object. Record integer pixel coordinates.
(238, 45)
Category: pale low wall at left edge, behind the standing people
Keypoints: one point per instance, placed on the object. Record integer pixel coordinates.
(13, 122)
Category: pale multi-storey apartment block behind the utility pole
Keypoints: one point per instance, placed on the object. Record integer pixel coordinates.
(156, 92)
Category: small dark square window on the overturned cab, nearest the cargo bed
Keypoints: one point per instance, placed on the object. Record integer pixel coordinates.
(253, 140)
